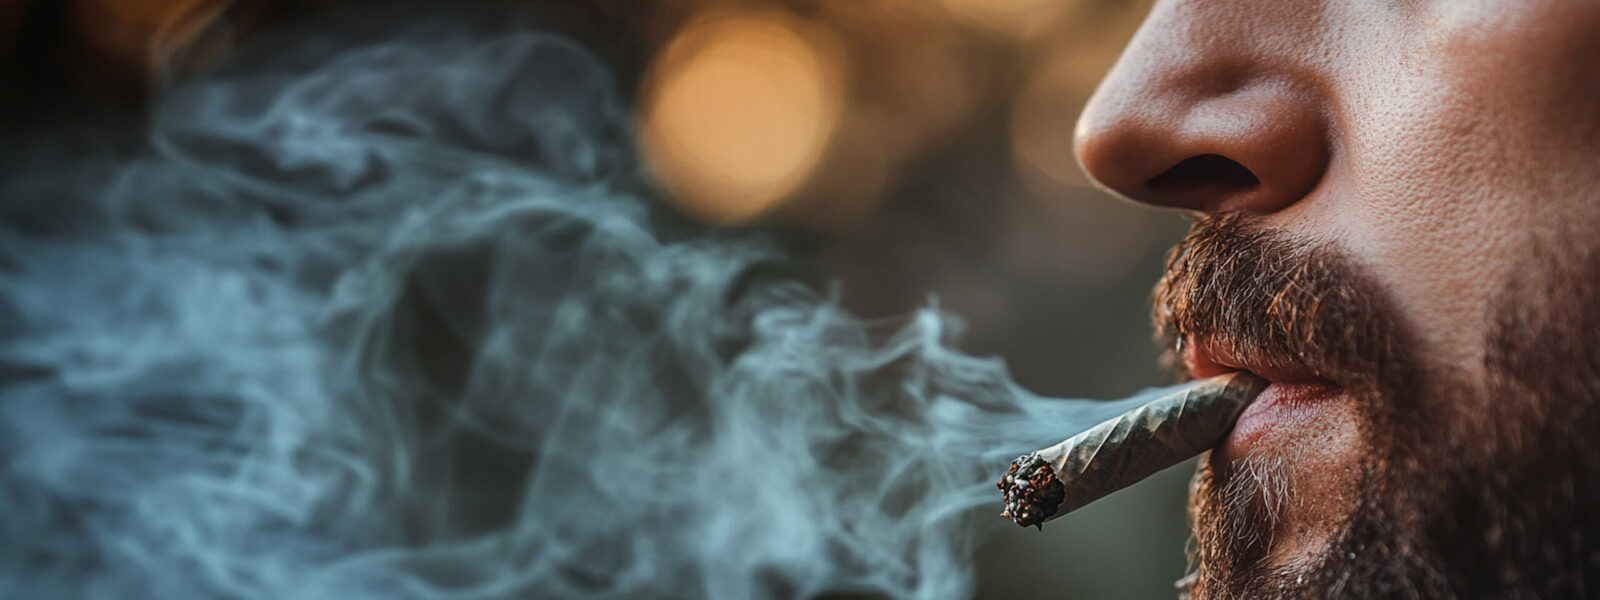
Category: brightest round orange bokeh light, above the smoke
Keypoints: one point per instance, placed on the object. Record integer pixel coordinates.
(738, 111)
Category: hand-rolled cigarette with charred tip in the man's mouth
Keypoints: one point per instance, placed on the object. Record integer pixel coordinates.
(1124, 450)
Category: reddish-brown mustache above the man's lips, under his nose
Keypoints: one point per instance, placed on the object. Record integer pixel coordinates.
(1276, 300)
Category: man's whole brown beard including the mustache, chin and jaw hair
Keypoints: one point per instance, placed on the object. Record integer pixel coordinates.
(1463, 490)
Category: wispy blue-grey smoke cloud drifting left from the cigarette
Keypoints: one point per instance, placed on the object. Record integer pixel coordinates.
(396, 319)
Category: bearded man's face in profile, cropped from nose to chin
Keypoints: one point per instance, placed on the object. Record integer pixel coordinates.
(1399, 206)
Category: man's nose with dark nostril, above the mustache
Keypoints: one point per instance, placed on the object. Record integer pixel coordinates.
(1206, 121)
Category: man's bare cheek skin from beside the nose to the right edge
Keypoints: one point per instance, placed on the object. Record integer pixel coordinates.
(1473, 132)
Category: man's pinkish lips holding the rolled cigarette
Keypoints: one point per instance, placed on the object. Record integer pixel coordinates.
(1289, 407)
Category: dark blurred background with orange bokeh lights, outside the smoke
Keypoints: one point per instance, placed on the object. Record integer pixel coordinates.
(922, 148)
